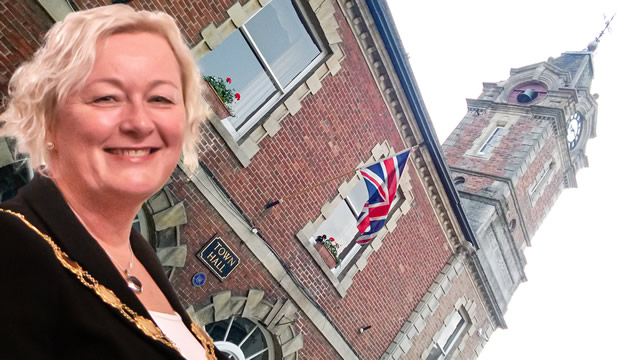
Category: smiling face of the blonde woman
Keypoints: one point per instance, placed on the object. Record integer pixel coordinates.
(121, 133)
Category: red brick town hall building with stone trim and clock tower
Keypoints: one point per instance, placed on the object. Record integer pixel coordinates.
(325, 89)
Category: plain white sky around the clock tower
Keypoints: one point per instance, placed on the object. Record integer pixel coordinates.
(582, 291)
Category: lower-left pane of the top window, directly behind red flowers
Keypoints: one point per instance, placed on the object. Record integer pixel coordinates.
(235, 59)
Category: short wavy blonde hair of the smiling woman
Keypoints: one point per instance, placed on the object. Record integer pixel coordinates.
(65, 61)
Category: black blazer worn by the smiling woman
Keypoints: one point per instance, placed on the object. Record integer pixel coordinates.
(45, 312)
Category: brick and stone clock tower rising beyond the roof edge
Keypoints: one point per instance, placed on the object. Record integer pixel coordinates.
(519, 145)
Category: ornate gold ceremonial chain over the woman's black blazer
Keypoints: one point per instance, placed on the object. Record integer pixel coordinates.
(145, 325)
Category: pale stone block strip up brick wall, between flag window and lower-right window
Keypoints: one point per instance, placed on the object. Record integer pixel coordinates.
(425, 308)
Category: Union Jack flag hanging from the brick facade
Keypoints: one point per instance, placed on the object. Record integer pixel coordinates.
(382, 180)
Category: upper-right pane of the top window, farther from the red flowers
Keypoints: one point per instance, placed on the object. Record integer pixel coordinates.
(283, 40)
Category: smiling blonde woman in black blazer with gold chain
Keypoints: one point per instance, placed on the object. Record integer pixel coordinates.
(104, 110)
